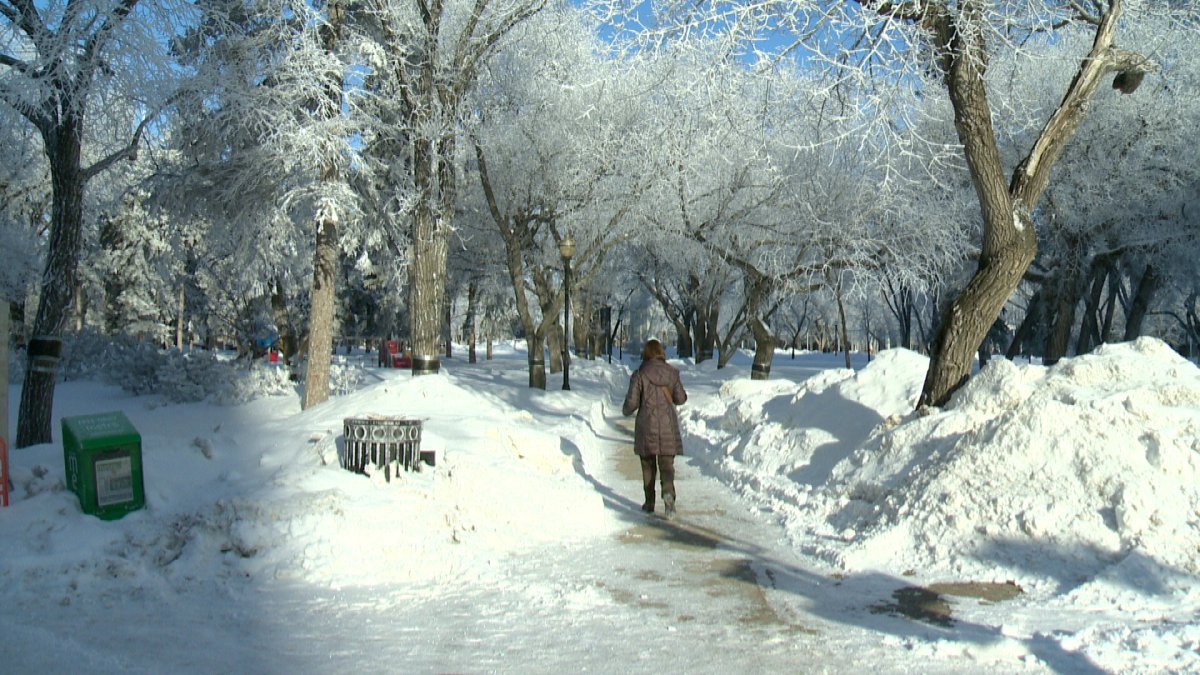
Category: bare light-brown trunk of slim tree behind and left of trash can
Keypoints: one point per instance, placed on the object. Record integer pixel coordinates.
(321, 322)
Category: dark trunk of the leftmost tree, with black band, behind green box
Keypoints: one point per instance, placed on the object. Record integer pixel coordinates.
(58, 284)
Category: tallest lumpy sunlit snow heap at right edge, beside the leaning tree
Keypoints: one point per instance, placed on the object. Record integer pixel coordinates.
(1033, 470)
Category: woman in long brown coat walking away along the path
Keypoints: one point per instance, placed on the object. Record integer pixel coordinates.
(655, 391)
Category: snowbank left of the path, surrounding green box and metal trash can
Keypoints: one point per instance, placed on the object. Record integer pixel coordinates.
(257, 492)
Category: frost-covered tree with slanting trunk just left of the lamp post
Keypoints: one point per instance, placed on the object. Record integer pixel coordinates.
(553, 162)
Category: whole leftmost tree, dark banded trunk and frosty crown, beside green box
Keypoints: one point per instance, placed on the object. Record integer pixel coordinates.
(64, 65)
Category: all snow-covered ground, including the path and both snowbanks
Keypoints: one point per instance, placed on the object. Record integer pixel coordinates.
(809, 505)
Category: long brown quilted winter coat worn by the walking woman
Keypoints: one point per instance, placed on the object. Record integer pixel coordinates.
(655, 391)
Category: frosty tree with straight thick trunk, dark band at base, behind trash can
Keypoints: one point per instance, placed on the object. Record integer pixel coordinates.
(428, 57)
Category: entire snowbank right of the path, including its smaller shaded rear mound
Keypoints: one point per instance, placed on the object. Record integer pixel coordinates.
(1051, 476)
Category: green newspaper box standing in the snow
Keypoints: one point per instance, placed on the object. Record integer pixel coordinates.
(104, 464)
